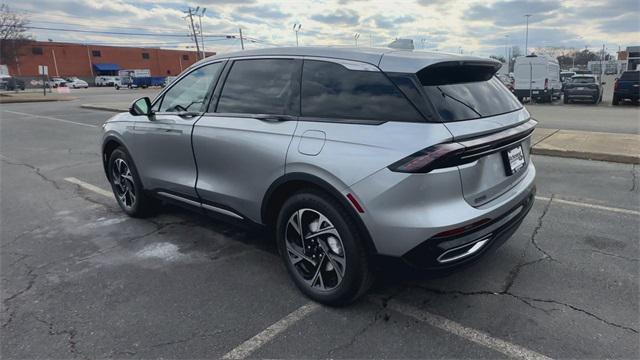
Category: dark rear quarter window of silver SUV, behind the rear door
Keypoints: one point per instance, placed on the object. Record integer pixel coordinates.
(330, 90)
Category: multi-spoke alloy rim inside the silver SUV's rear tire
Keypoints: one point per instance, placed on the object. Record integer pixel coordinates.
(315, 249)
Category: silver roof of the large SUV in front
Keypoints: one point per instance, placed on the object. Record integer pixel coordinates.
(387, 59)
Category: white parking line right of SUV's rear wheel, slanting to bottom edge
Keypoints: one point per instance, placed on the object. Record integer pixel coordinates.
(476, 336)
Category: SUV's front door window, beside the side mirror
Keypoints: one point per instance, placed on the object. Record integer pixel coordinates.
(192, 91)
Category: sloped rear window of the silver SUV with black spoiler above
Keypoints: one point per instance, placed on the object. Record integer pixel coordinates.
(466, 92)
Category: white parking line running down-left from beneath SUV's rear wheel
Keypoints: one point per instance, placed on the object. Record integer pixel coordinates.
(246, 348)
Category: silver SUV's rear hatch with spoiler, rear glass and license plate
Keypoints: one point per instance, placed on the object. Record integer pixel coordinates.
(488, 122)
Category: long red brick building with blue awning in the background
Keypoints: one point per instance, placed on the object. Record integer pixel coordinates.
(89, 61)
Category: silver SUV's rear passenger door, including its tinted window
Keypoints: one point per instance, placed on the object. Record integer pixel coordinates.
(241, 143)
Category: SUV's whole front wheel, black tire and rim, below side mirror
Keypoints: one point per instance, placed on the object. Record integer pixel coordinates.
(127, 187)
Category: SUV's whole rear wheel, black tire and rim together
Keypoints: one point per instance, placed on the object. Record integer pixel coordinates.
(319, 279)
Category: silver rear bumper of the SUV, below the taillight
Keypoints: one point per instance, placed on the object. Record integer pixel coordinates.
(405, 212)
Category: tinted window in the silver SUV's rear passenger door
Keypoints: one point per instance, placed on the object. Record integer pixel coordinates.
(261, 86)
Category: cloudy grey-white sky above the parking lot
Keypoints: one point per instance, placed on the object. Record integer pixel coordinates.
(478, 27)
